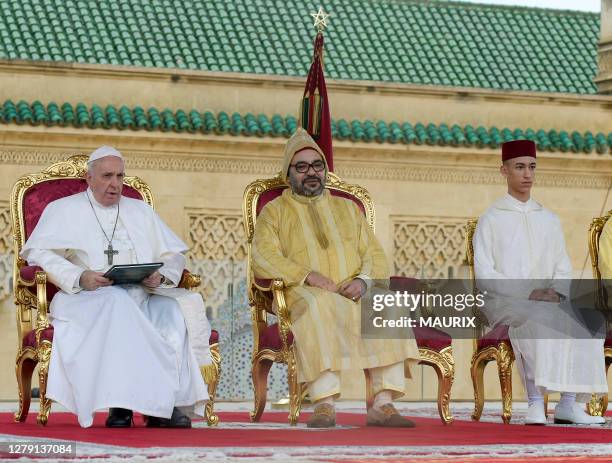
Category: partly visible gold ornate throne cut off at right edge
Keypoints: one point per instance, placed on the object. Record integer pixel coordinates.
(598, 406)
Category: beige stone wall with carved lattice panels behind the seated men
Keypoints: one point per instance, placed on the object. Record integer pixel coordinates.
(198, 180)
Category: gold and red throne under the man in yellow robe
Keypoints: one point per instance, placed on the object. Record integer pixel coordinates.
(274, 342)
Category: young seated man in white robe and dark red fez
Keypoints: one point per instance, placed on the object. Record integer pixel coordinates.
(520, 241)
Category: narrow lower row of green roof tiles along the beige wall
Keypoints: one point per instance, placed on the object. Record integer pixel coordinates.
(193, 121)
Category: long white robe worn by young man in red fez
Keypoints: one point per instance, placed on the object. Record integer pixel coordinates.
(523, 244)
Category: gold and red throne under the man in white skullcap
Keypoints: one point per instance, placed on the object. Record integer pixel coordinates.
(33, 293)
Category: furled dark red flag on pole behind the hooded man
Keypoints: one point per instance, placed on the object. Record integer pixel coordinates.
(314, 114)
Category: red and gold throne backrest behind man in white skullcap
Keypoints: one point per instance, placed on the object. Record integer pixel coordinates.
(33, 192)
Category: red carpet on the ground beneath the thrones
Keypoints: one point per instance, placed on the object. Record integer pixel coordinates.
(429, 432)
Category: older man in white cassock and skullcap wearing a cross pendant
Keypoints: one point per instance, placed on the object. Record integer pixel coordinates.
(133, 347)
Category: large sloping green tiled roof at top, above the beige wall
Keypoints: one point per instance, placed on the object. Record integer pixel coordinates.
(419, 42)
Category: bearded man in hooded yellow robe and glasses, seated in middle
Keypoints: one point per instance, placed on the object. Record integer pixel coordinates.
(327, 255)
